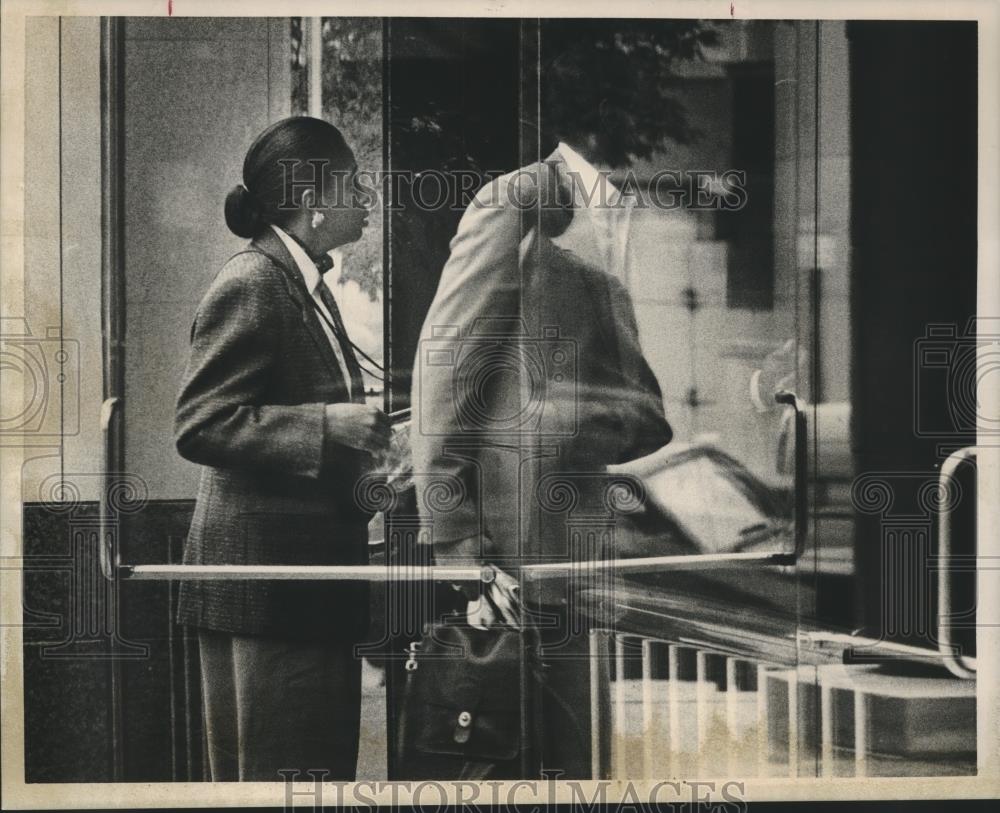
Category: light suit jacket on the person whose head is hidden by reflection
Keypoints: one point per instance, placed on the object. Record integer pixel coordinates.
(541, 266)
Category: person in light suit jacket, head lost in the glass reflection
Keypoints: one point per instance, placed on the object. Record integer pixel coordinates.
(529, 381)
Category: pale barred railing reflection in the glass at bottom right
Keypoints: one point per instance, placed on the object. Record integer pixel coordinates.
(663, 707)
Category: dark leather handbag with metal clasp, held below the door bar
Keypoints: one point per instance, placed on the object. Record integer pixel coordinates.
(467, 705)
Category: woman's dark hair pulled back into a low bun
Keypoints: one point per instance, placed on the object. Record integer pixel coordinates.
(273, 160)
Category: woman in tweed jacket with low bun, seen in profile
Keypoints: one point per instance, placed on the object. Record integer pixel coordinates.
(272, 407)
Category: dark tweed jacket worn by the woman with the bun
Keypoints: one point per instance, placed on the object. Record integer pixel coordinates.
(251, 412)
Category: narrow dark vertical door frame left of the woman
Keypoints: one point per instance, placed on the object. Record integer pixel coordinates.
(113, 310)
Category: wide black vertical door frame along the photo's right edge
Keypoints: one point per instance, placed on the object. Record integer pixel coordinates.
(918, 251)
